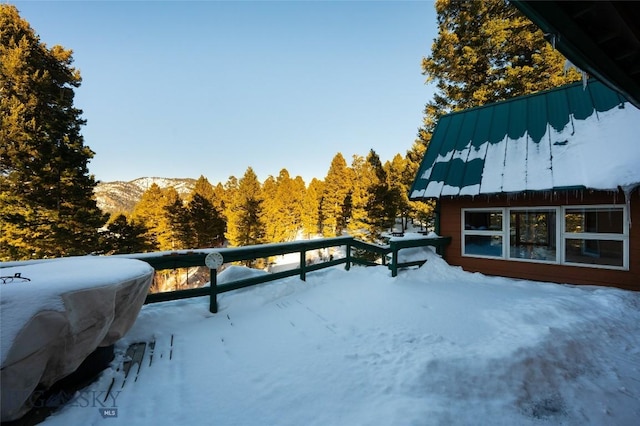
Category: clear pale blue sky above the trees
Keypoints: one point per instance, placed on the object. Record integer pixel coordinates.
(183, 89)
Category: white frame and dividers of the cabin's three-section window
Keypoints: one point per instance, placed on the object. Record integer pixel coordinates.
(561, 236)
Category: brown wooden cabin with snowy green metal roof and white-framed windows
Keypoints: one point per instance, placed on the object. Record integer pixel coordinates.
(541, 187)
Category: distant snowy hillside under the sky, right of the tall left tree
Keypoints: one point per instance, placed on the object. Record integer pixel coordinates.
(122, 196)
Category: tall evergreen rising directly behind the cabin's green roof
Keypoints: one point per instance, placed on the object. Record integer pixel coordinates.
(486, 51)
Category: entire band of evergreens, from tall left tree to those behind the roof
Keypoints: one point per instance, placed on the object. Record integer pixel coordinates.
(485, 51)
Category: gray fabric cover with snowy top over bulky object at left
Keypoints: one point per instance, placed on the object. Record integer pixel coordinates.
(53, 342)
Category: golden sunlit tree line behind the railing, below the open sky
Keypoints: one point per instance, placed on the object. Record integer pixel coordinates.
(363, 199)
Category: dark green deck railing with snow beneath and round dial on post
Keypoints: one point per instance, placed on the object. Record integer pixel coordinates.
(185, 259)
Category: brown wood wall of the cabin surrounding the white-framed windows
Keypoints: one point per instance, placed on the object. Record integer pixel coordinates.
(450, 225)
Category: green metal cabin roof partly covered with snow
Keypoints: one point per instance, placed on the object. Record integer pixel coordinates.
(549, 140)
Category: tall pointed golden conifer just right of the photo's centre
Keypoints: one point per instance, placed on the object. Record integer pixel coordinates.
(336, 197)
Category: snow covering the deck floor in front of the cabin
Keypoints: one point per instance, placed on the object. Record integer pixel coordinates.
(435, 345)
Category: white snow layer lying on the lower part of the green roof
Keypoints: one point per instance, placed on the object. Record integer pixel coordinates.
(597, 152)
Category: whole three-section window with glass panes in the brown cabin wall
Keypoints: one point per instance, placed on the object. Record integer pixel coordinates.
(595, 236)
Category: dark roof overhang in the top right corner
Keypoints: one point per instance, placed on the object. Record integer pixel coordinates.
(601, 38)
